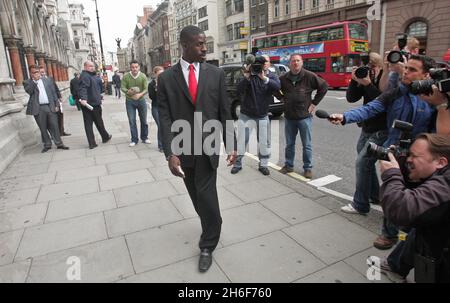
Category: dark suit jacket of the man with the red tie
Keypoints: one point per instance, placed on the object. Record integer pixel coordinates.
(174, 103)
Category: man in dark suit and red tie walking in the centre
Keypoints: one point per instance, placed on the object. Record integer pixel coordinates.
(185, 91)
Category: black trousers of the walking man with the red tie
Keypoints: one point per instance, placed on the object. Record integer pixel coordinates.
(200, 182)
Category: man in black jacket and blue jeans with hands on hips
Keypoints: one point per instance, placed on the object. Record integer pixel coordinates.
(296, 90)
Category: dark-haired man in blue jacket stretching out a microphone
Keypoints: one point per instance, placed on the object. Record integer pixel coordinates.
(399, 104)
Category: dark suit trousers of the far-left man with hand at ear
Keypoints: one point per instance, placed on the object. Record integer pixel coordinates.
(48, 122)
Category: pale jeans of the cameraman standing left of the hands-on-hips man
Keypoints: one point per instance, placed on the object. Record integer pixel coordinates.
(245, 125)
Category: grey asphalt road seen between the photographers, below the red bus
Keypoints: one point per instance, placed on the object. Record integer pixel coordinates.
(334, 147)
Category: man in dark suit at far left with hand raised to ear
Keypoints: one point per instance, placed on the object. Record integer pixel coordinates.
(43, 105)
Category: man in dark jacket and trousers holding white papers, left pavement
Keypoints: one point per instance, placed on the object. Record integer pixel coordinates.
(91, 101)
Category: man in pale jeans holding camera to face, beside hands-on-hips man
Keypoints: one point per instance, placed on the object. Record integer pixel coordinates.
(256, 88)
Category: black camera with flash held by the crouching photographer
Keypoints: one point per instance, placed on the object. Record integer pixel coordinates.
(401, 150)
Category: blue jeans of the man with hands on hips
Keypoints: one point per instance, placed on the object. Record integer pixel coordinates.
(292, 127)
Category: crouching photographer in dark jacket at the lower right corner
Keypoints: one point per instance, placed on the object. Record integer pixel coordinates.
(424, 206)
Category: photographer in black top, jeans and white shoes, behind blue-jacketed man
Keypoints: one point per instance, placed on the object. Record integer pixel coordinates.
(373, 130)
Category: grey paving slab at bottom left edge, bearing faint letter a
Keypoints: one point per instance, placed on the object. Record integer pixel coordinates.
(101, 262)
